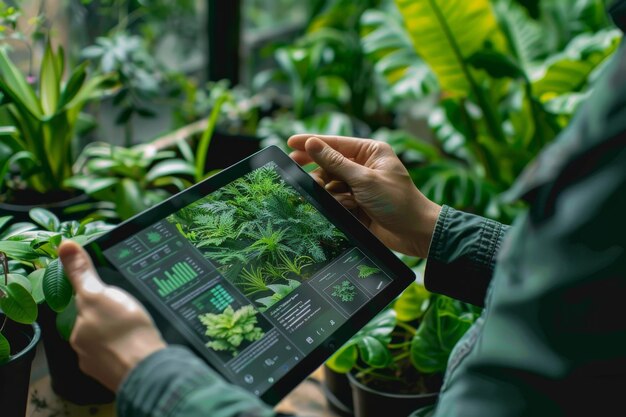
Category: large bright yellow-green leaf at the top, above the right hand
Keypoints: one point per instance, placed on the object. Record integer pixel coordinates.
(447, 32)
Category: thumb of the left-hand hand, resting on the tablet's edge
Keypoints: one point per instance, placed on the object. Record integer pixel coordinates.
(79, 269)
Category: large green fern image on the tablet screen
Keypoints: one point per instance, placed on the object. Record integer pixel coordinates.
(263, 236)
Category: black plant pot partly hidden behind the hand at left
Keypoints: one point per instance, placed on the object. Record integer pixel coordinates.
(68, 381)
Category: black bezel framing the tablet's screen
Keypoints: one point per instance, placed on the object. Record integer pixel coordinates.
(328, 206)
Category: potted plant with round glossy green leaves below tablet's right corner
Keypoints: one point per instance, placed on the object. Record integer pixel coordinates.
(398, 359)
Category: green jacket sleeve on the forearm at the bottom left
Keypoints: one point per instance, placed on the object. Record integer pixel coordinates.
(174, 382)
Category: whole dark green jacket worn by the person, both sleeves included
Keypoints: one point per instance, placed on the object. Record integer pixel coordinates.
(552, 338)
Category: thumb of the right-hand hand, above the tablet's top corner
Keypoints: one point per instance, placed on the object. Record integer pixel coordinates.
(333, 162)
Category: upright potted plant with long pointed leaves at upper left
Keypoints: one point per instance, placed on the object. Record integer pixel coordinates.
(40, 123)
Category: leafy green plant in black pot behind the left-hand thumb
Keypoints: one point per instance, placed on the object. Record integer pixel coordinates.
(33, 248)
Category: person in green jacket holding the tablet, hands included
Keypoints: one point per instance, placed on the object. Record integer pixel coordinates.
(551, 340)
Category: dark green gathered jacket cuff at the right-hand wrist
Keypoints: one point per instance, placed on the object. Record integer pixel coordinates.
(462, 255)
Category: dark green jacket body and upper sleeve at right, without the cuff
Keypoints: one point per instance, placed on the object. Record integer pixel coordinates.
(552, 338)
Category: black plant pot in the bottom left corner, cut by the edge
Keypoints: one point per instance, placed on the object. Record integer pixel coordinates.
(15, 374)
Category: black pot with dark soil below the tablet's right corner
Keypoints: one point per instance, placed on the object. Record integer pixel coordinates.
(400, 394)
